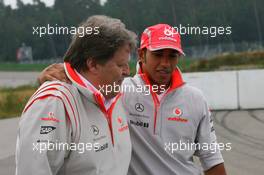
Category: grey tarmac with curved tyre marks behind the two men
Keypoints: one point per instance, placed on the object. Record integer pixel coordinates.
(243, 129)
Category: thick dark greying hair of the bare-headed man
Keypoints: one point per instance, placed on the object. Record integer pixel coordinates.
(112, 34)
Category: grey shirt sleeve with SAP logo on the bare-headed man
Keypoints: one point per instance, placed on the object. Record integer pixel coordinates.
(42, 128)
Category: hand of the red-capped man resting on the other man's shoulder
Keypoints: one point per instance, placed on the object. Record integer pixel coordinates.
(53, 72)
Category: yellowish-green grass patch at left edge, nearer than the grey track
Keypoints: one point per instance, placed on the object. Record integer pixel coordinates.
(13, 100)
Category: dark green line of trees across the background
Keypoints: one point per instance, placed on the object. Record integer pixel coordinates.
(208, 21)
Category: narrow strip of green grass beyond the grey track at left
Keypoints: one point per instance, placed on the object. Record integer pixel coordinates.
(22, 67)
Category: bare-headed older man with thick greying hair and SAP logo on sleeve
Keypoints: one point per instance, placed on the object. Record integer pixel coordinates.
(74, 128)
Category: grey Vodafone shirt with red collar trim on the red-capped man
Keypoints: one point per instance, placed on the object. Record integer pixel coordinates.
(166, 134)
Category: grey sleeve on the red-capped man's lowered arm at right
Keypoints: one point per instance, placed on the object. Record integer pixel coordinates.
(208, 153)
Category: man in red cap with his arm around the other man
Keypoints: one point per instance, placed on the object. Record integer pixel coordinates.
(171, 124)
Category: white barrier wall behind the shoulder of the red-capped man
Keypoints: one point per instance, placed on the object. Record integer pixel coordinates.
(230, 89)
